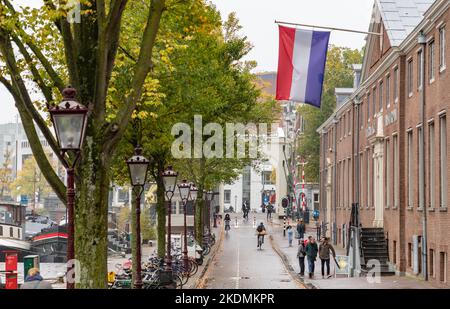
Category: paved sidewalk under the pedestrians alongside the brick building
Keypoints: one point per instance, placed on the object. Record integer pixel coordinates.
(289, 257)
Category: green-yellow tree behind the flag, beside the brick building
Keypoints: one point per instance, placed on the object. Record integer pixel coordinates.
(338, 73)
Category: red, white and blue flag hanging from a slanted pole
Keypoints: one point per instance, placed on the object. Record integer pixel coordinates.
(301, 65)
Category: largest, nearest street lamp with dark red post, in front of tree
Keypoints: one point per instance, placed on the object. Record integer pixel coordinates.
(69, 119)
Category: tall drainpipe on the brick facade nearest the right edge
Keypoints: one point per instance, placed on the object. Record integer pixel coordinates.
(422, 40)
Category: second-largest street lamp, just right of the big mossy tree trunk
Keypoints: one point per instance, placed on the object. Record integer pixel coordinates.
(138, 167)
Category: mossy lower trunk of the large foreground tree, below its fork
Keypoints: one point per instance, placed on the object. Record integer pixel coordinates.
(91, 215)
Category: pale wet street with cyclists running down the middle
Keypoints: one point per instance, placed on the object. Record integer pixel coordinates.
(240, 265)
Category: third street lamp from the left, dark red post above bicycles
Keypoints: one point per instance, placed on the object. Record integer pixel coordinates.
(170, 180)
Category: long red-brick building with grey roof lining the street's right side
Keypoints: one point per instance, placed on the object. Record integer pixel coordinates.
(371, 150)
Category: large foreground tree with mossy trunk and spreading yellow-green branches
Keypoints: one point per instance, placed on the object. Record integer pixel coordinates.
(43, 46)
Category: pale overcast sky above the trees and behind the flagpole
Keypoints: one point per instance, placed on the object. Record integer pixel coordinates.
(257, 19)
